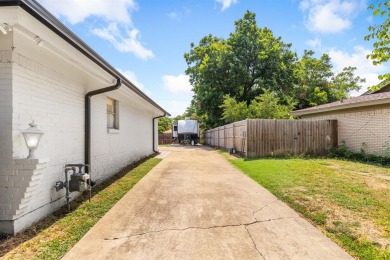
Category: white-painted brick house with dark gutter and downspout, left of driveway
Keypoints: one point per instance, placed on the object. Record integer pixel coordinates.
(46, 73)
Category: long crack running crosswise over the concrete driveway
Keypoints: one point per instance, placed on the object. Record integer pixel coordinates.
(199, 228)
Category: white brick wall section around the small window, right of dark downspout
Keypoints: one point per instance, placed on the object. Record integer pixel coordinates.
(112, 152)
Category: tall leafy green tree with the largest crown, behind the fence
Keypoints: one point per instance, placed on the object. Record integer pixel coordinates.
(241, 66)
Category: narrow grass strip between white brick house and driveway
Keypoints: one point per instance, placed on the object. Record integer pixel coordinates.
(54, 236)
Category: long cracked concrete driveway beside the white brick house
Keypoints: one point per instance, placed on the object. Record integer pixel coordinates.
(196, 205)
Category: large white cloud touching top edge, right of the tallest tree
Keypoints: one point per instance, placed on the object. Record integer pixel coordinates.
(330, 16)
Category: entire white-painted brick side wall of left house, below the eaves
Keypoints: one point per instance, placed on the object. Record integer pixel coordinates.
(51, 91)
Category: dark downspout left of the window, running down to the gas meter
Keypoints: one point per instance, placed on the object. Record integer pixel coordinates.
(87, 147)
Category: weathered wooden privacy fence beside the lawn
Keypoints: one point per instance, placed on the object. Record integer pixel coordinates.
(268, 137)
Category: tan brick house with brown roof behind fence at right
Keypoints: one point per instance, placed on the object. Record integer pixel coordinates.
(363, 121)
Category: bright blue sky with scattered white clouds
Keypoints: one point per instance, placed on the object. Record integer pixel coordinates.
(146, 39)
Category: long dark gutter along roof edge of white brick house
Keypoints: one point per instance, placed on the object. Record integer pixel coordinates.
(46, 18)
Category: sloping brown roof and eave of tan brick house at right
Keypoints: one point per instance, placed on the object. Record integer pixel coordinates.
(360, 101)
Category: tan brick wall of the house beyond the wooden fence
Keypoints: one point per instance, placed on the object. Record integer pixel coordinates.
(362, 128)
